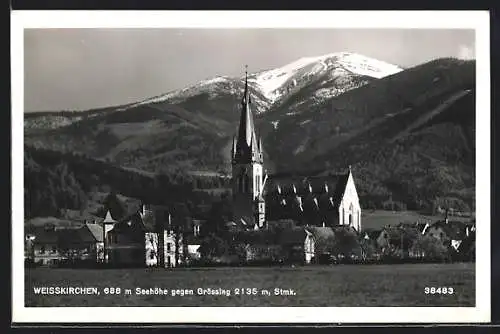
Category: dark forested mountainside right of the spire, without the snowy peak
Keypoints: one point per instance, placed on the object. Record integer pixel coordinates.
(410, 135)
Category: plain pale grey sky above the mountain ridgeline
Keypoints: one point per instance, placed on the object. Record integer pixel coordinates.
(80, 69)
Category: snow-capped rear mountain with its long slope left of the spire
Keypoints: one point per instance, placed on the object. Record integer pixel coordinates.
(191, 127)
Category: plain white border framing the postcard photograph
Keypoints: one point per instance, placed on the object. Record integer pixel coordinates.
(478, 20)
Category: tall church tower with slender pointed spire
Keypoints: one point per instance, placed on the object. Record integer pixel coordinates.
(247, 168)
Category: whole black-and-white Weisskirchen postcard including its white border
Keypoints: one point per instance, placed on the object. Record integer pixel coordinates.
(251, 167)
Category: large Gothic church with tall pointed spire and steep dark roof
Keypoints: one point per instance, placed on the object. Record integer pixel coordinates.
(326, 200)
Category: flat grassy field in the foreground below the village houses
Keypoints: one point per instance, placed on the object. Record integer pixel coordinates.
(341, 285)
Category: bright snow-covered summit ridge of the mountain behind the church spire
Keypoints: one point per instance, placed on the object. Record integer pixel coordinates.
(274, 84)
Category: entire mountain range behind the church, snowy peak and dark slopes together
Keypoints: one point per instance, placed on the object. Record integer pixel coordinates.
(316, 115)
